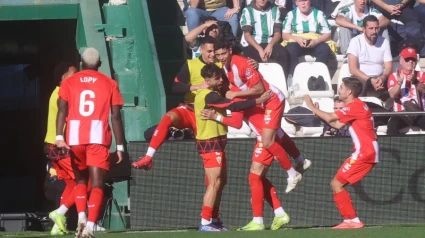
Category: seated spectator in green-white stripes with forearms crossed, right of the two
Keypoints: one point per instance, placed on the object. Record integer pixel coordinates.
(307, 31)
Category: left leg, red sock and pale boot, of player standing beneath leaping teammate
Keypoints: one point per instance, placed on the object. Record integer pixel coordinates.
(257, 196)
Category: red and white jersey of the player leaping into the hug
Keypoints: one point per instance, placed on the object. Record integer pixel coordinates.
(243, 76)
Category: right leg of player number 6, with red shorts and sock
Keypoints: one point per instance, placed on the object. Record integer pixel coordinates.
(98, 165)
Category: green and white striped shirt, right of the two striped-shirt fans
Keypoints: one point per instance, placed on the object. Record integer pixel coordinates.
(315, 22)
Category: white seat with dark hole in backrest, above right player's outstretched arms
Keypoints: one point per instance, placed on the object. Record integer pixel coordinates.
(304, 71)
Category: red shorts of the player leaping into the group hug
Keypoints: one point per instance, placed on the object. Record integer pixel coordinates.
(273, 113)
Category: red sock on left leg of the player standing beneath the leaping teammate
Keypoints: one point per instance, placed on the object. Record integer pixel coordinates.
(257, 194)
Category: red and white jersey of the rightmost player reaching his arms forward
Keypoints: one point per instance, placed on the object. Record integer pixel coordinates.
(358, 117)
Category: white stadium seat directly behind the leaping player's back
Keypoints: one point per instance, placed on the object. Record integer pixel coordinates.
(274, 75)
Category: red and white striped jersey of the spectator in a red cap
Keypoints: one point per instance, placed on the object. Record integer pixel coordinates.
(408, 91)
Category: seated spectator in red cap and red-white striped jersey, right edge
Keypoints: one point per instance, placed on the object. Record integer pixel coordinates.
(406, 86)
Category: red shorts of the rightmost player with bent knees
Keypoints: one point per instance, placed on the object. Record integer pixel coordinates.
(353, 171)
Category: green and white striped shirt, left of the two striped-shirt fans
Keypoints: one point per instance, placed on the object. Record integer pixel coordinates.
(262, 23)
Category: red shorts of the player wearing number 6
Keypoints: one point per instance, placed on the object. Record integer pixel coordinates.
(92, 155)
